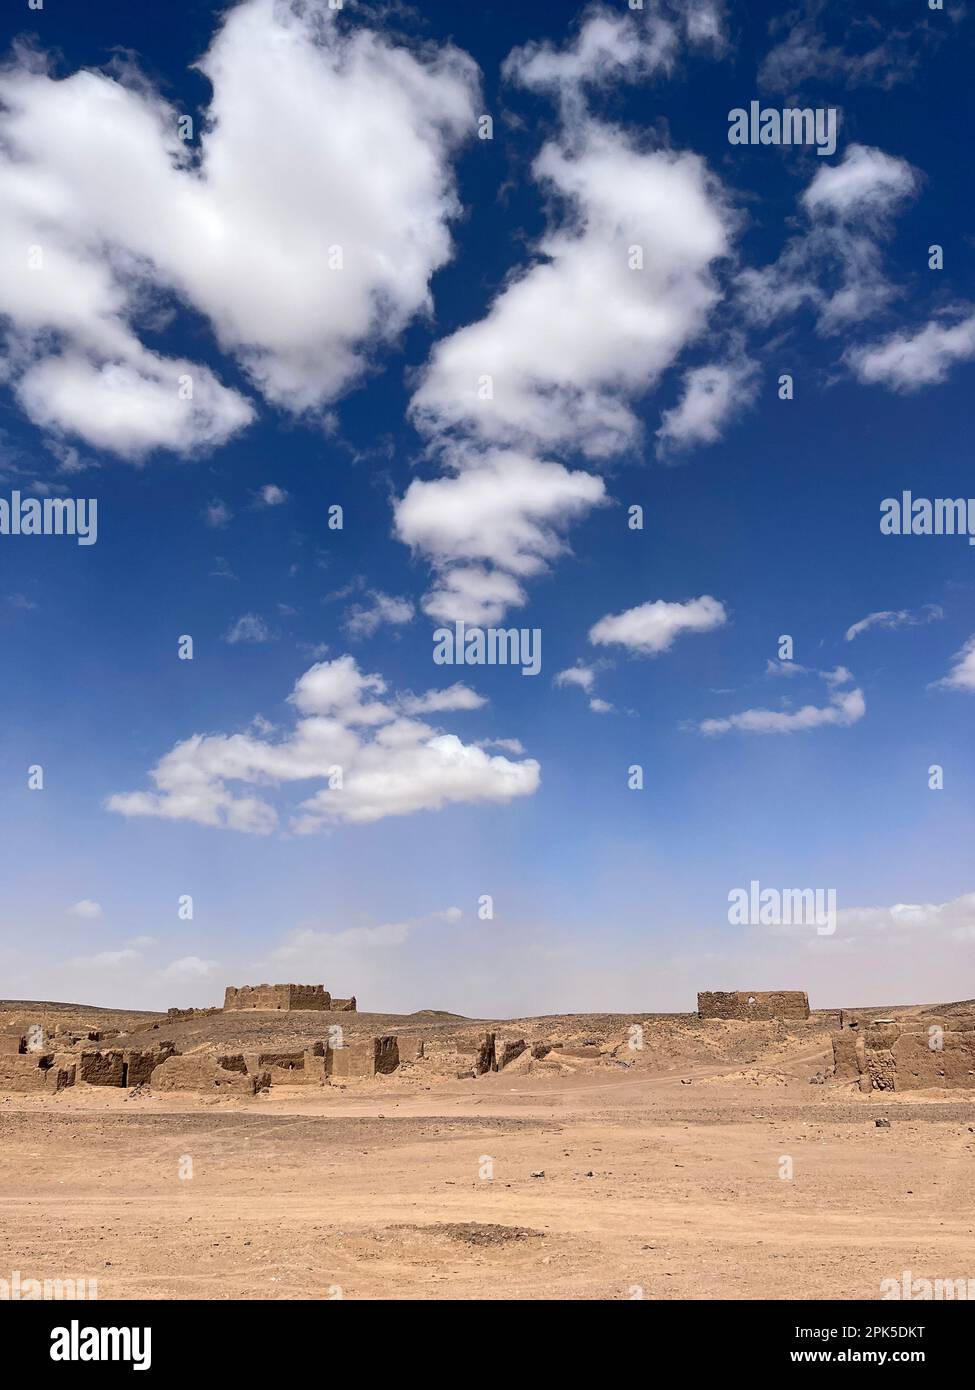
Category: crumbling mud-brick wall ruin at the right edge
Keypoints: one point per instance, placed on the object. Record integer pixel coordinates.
(908, 1056)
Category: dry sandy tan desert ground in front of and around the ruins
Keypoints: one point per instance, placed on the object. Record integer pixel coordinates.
(622, 1172)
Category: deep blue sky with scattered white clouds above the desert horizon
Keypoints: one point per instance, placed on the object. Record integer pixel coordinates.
(614, 387)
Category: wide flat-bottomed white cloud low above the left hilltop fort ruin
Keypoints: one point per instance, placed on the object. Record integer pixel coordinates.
(353, 737)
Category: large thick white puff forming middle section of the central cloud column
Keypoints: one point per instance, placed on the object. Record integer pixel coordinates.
(581, 334)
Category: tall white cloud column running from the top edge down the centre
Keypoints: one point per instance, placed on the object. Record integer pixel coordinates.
(618, 286)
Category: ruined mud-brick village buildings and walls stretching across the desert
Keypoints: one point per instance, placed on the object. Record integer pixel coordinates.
(878, 1054)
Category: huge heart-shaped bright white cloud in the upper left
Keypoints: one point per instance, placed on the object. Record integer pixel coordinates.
(304, 241)
